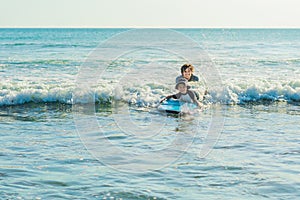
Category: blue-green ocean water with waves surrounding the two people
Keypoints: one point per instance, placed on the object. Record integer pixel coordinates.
(79, 117)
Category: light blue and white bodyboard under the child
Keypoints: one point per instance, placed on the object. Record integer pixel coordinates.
(176, 107)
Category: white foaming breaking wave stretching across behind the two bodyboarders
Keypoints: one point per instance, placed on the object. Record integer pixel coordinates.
(144, 95)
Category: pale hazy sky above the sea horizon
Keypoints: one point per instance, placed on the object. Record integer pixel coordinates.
(150, 13)
